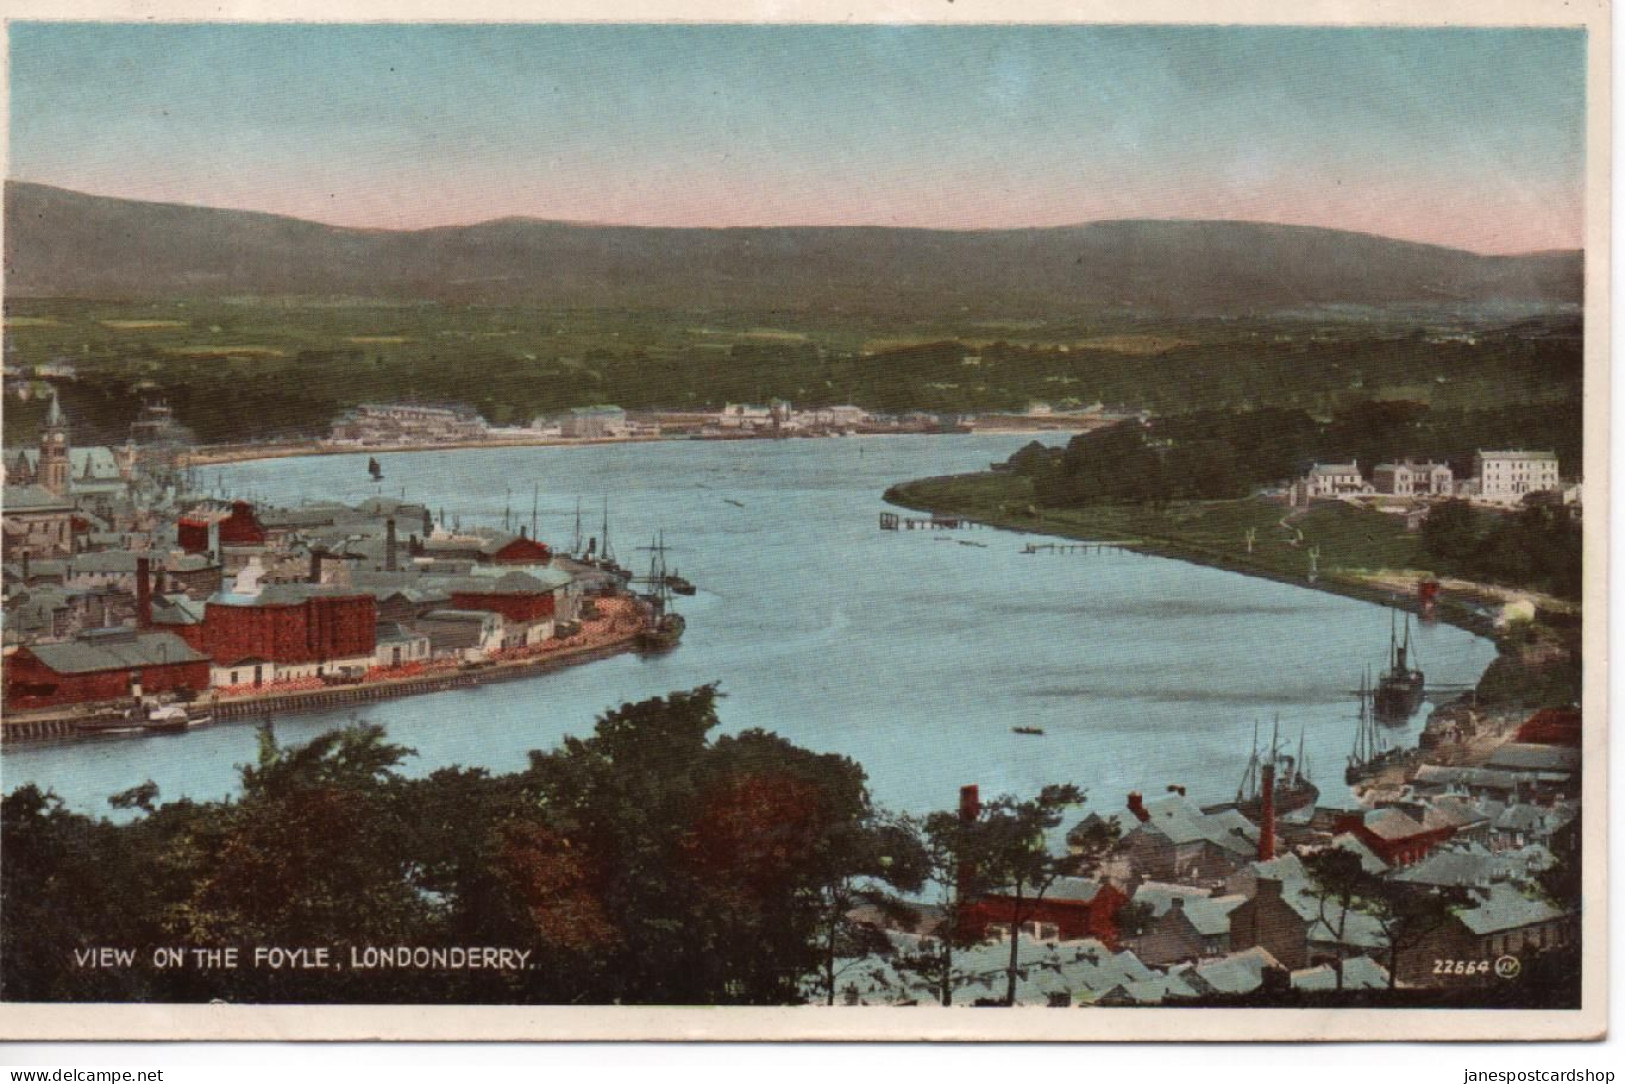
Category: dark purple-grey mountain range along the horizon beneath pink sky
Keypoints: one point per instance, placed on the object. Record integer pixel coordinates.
(69, 245)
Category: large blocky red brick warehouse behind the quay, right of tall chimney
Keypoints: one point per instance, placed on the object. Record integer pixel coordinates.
(292, 623)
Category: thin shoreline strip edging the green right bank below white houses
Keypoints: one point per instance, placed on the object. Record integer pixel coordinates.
(1449, 610)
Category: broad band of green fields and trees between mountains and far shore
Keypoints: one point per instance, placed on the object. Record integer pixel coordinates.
(266, 368)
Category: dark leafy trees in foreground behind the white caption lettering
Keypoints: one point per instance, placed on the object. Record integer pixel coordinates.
(652, 862)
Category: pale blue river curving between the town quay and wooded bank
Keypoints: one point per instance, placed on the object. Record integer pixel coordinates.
(904, 651)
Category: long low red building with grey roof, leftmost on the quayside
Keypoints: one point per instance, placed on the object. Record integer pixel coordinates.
(102, 666)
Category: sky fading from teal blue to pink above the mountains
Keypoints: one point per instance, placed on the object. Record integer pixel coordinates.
(1462, 137)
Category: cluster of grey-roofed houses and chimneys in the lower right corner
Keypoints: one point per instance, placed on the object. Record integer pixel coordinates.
(1197, 901)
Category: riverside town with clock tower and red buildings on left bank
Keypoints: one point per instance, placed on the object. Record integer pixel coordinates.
(136, 607)
